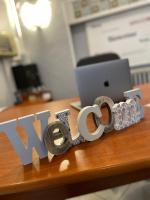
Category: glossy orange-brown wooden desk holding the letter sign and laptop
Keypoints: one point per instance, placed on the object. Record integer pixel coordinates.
(114, 159)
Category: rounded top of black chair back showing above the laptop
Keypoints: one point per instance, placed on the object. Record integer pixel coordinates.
(97, 59)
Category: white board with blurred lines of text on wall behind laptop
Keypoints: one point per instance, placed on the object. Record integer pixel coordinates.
(128, 36)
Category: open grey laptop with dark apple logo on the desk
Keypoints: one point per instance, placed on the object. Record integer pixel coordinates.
(110, 79)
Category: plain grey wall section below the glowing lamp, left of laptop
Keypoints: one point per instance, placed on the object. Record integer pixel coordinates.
(50, 49)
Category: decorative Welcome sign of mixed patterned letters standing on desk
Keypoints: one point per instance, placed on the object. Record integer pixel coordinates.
(121, 115)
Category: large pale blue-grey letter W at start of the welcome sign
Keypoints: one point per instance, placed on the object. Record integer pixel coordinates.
(26, 122)
